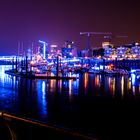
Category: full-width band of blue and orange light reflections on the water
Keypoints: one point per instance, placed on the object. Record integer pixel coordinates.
(32, 95)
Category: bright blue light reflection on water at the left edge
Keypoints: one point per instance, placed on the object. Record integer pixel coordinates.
(8, 90)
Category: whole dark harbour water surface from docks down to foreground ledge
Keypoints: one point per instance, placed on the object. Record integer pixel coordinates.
(105, 107)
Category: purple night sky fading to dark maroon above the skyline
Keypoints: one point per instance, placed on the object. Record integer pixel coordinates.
(55, 21)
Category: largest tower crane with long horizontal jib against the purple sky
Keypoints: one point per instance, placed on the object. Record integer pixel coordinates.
(88, 34)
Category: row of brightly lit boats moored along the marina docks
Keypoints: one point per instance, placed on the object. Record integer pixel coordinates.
(110, 70)
